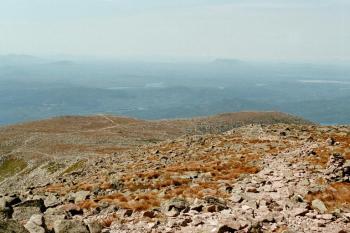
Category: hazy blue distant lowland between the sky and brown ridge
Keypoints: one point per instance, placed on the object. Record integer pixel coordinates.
(33, 88)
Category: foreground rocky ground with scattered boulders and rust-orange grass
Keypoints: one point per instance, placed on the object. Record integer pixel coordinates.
(255, 178)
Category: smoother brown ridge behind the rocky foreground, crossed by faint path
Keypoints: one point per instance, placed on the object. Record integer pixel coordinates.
(42, 150)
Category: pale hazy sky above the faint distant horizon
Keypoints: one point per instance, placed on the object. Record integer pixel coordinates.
(243, 29)
